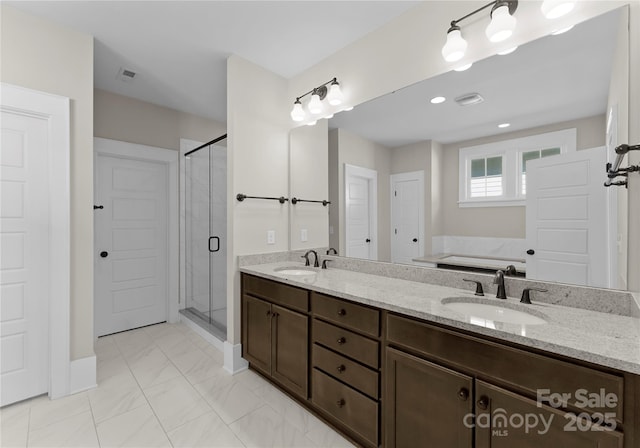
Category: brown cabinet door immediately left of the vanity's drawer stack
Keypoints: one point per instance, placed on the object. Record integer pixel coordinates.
(290, 349)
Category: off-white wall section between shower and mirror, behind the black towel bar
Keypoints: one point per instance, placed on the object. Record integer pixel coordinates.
(258, 163)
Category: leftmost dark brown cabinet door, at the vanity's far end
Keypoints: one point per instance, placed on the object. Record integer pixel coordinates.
(256, 332)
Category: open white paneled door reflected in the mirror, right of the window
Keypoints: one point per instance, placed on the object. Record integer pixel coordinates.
(566, 219)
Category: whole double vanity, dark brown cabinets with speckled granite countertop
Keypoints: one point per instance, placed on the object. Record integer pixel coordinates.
(397, 363)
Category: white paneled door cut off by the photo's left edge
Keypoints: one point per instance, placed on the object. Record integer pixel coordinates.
(24, 256)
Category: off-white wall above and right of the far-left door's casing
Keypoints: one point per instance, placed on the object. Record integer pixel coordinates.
(44, 56)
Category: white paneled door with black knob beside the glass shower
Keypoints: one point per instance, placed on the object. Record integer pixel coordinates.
(131, 267)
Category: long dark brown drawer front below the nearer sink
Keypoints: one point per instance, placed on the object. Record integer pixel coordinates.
(528, 372)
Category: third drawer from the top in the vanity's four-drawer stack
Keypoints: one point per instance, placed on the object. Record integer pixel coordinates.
(347, 371)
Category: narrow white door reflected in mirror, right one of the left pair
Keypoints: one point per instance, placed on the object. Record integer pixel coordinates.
(407, 216)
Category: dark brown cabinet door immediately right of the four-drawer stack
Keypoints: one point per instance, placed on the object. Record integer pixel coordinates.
(426, 404)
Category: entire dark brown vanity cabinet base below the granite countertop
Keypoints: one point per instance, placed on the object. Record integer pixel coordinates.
(386, 379)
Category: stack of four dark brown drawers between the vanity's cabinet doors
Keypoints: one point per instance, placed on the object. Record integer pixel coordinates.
(345, 379)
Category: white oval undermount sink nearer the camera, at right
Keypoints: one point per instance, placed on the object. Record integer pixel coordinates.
(492, 312)
